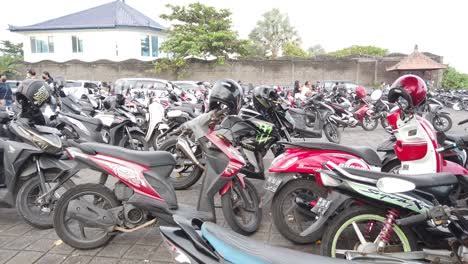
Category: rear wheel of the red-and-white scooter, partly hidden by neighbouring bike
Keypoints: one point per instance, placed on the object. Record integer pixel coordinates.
(291, 213)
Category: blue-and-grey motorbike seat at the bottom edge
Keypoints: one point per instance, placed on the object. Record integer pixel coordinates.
(236, 248)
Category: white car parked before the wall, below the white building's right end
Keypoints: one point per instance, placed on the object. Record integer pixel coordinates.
(154, 87)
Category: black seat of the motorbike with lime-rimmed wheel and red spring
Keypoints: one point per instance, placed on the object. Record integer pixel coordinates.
(420, 180)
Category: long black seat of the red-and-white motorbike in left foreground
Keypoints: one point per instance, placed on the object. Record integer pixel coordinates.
(147, 158)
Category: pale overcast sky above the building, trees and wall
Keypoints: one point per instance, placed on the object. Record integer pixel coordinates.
(436, 26)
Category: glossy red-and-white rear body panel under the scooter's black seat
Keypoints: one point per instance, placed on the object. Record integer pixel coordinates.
(308, 161)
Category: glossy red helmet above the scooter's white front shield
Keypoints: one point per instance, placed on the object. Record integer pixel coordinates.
(410, 87)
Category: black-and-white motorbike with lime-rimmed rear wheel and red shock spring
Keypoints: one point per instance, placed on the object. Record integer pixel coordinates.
(382, 211)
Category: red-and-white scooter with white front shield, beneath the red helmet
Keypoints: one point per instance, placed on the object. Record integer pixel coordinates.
(296, 189)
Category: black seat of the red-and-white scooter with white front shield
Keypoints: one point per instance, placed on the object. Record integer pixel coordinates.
(367, 154)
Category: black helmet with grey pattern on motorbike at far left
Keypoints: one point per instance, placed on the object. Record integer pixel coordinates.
(32, 92)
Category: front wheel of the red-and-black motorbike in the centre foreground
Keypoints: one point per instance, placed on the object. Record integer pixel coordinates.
(241, 208)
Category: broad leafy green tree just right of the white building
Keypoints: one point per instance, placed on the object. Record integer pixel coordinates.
(199, 31)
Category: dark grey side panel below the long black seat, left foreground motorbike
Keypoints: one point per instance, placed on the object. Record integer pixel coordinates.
(158, 179)
